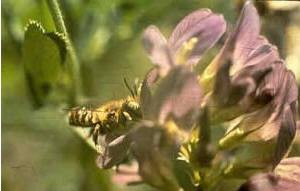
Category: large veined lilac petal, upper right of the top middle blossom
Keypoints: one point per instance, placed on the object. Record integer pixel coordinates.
(203, 25)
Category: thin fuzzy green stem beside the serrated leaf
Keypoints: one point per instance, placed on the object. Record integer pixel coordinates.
(73, 66)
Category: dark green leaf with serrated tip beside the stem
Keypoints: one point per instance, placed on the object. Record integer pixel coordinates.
(43, 57)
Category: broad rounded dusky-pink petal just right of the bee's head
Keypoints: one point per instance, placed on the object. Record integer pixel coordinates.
(178, 96)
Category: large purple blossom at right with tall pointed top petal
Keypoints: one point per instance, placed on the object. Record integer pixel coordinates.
(253, 82)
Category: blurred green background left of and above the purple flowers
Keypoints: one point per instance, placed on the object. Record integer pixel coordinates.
(39, 150)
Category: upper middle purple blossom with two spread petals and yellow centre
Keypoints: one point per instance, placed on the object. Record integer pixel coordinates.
(201, 29)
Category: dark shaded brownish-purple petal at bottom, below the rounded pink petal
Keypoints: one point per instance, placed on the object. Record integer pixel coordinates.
(154, 151)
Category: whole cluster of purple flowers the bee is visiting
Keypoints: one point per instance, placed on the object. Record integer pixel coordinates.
(246, 90)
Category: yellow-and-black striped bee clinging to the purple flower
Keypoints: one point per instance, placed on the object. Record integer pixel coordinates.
(112, 117)
